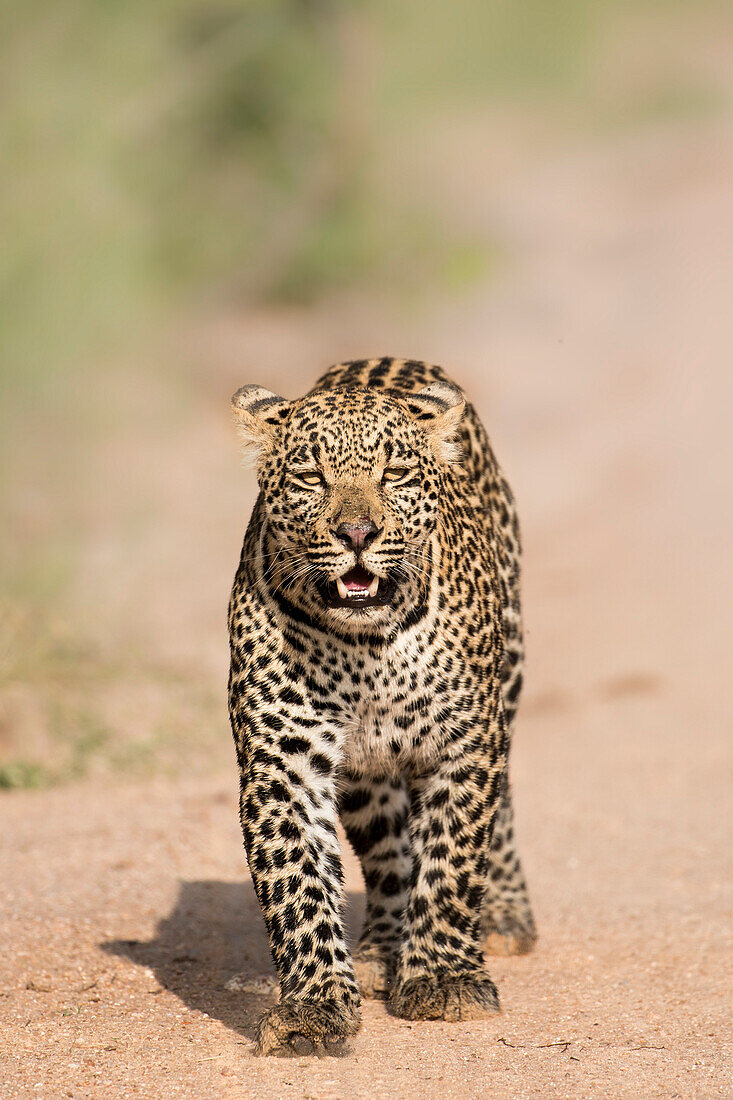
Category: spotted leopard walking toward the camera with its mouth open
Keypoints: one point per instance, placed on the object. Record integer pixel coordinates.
(377, 663)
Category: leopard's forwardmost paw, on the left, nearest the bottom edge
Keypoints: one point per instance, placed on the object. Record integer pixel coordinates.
(300, 1028)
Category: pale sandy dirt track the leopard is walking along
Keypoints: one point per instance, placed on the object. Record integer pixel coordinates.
(601, 364)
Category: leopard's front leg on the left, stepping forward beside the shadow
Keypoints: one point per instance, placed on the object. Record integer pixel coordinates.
(289, 820)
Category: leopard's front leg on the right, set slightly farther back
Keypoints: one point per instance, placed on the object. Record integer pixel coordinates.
(442, 974)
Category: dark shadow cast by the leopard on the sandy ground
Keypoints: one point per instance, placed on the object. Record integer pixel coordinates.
(215, 931)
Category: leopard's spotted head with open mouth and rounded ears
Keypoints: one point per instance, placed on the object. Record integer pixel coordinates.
(352, 483)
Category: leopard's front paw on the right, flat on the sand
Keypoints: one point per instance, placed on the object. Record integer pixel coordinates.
(451, 997)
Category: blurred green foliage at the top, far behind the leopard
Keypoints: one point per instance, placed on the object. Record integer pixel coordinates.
(161, 148)
